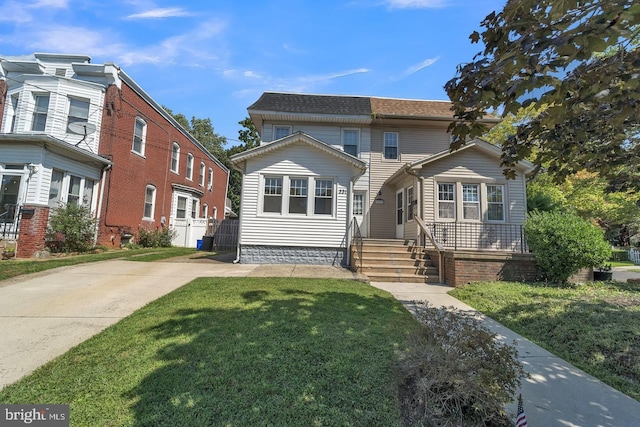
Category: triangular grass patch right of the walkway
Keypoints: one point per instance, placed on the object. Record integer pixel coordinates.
(594, 326)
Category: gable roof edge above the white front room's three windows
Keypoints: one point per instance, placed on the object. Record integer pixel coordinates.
(236, 159)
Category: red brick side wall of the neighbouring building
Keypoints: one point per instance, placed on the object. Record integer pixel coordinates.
(126, 181)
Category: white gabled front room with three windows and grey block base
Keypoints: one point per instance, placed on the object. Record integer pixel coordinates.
(295, 201)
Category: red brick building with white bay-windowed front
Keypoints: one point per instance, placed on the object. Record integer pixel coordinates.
(76, 132)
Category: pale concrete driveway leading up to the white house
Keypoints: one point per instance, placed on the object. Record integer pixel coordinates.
(44, 315)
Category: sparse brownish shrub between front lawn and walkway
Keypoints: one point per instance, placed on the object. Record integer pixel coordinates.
(454, 372)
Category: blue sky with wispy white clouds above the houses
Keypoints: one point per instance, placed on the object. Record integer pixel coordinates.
(214, 58)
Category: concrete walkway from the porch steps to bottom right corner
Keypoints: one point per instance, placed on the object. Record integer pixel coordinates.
(558, 393)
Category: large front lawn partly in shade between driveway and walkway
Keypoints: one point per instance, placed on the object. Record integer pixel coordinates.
(236, 352)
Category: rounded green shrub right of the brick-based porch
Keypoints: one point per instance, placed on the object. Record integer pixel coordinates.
(564, 243)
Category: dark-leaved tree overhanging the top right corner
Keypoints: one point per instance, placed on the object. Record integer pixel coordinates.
(581, 60)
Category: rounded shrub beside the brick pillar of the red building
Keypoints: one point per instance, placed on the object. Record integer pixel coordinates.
(72, 228)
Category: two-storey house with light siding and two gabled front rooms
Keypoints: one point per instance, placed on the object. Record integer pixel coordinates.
(407, 170)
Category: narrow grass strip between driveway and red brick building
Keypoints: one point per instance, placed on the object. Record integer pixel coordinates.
(13, 268)
